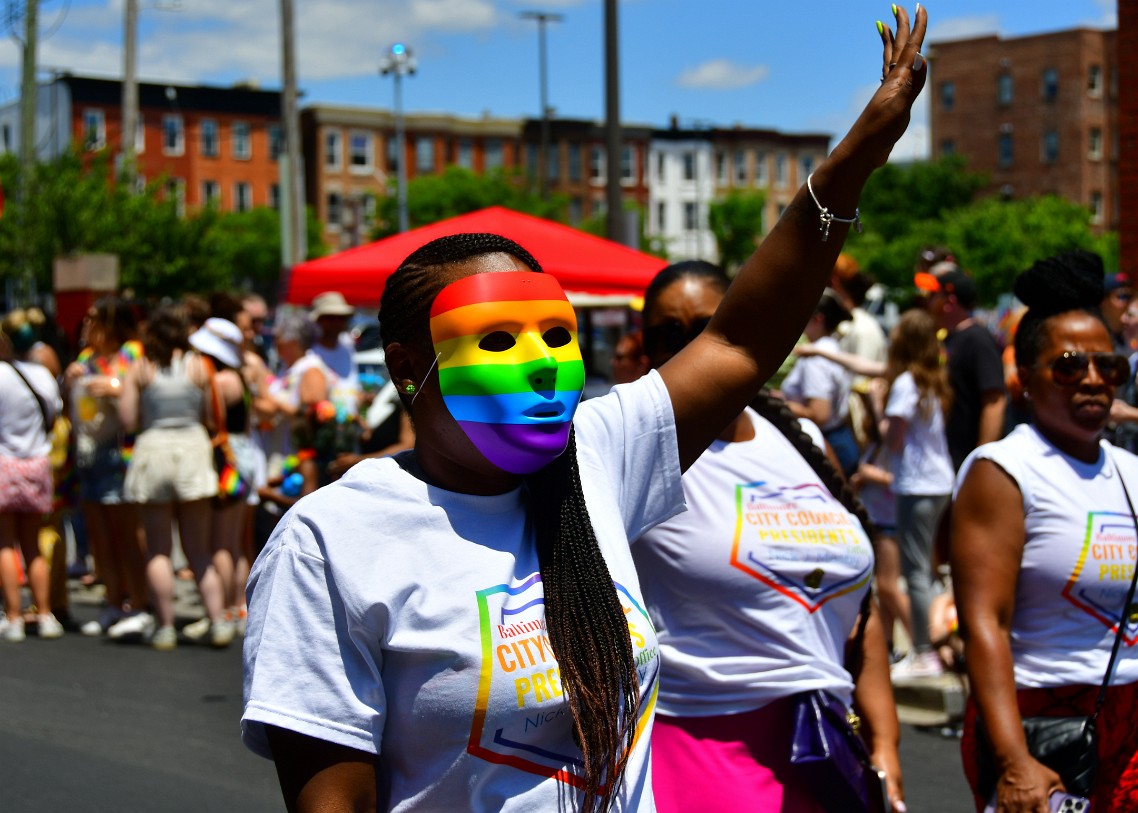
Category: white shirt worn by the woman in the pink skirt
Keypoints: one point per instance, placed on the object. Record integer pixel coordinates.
(756, 588)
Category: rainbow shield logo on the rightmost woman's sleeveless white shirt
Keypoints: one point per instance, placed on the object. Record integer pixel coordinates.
(1102, 574)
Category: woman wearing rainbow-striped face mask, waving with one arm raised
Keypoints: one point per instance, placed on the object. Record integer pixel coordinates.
(461, 627)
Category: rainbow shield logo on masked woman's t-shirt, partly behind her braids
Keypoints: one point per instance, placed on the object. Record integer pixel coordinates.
(522, 718)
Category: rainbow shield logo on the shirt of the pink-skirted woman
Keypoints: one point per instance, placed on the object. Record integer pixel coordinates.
(801, 543)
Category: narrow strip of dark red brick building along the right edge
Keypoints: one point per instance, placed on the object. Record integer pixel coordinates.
(1128, 136)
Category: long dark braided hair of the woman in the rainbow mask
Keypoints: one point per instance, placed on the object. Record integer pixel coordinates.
(587, 625)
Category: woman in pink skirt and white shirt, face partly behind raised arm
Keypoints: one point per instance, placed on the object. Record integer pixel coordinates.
(755, 594)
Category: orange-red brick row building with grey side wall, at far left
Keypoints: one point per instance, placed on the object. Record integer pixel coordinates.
(211, 145)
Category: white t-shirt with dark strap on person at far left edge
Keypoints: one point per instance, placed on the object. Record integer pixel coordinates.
(22, 431)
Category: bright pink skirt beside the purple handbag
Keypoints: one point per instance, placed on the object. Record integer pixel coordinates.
(737, 762)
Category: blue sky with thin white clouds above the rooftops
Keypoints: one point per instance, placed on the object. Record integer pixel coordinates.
(788, 65)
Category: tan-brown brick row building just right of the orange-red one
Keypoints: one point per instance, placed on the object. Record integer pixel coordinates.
(351, 159)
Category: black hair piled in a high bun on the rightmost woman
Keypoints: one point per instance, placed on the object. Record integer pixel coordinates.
(1068, 282)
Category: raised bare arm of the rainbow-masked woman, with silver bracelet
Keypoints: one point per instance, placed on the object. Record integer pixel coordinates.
(762, 316)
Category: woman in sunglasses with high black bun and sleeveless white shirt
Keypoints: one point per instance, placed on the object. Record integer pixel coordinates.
(1043, 551)
